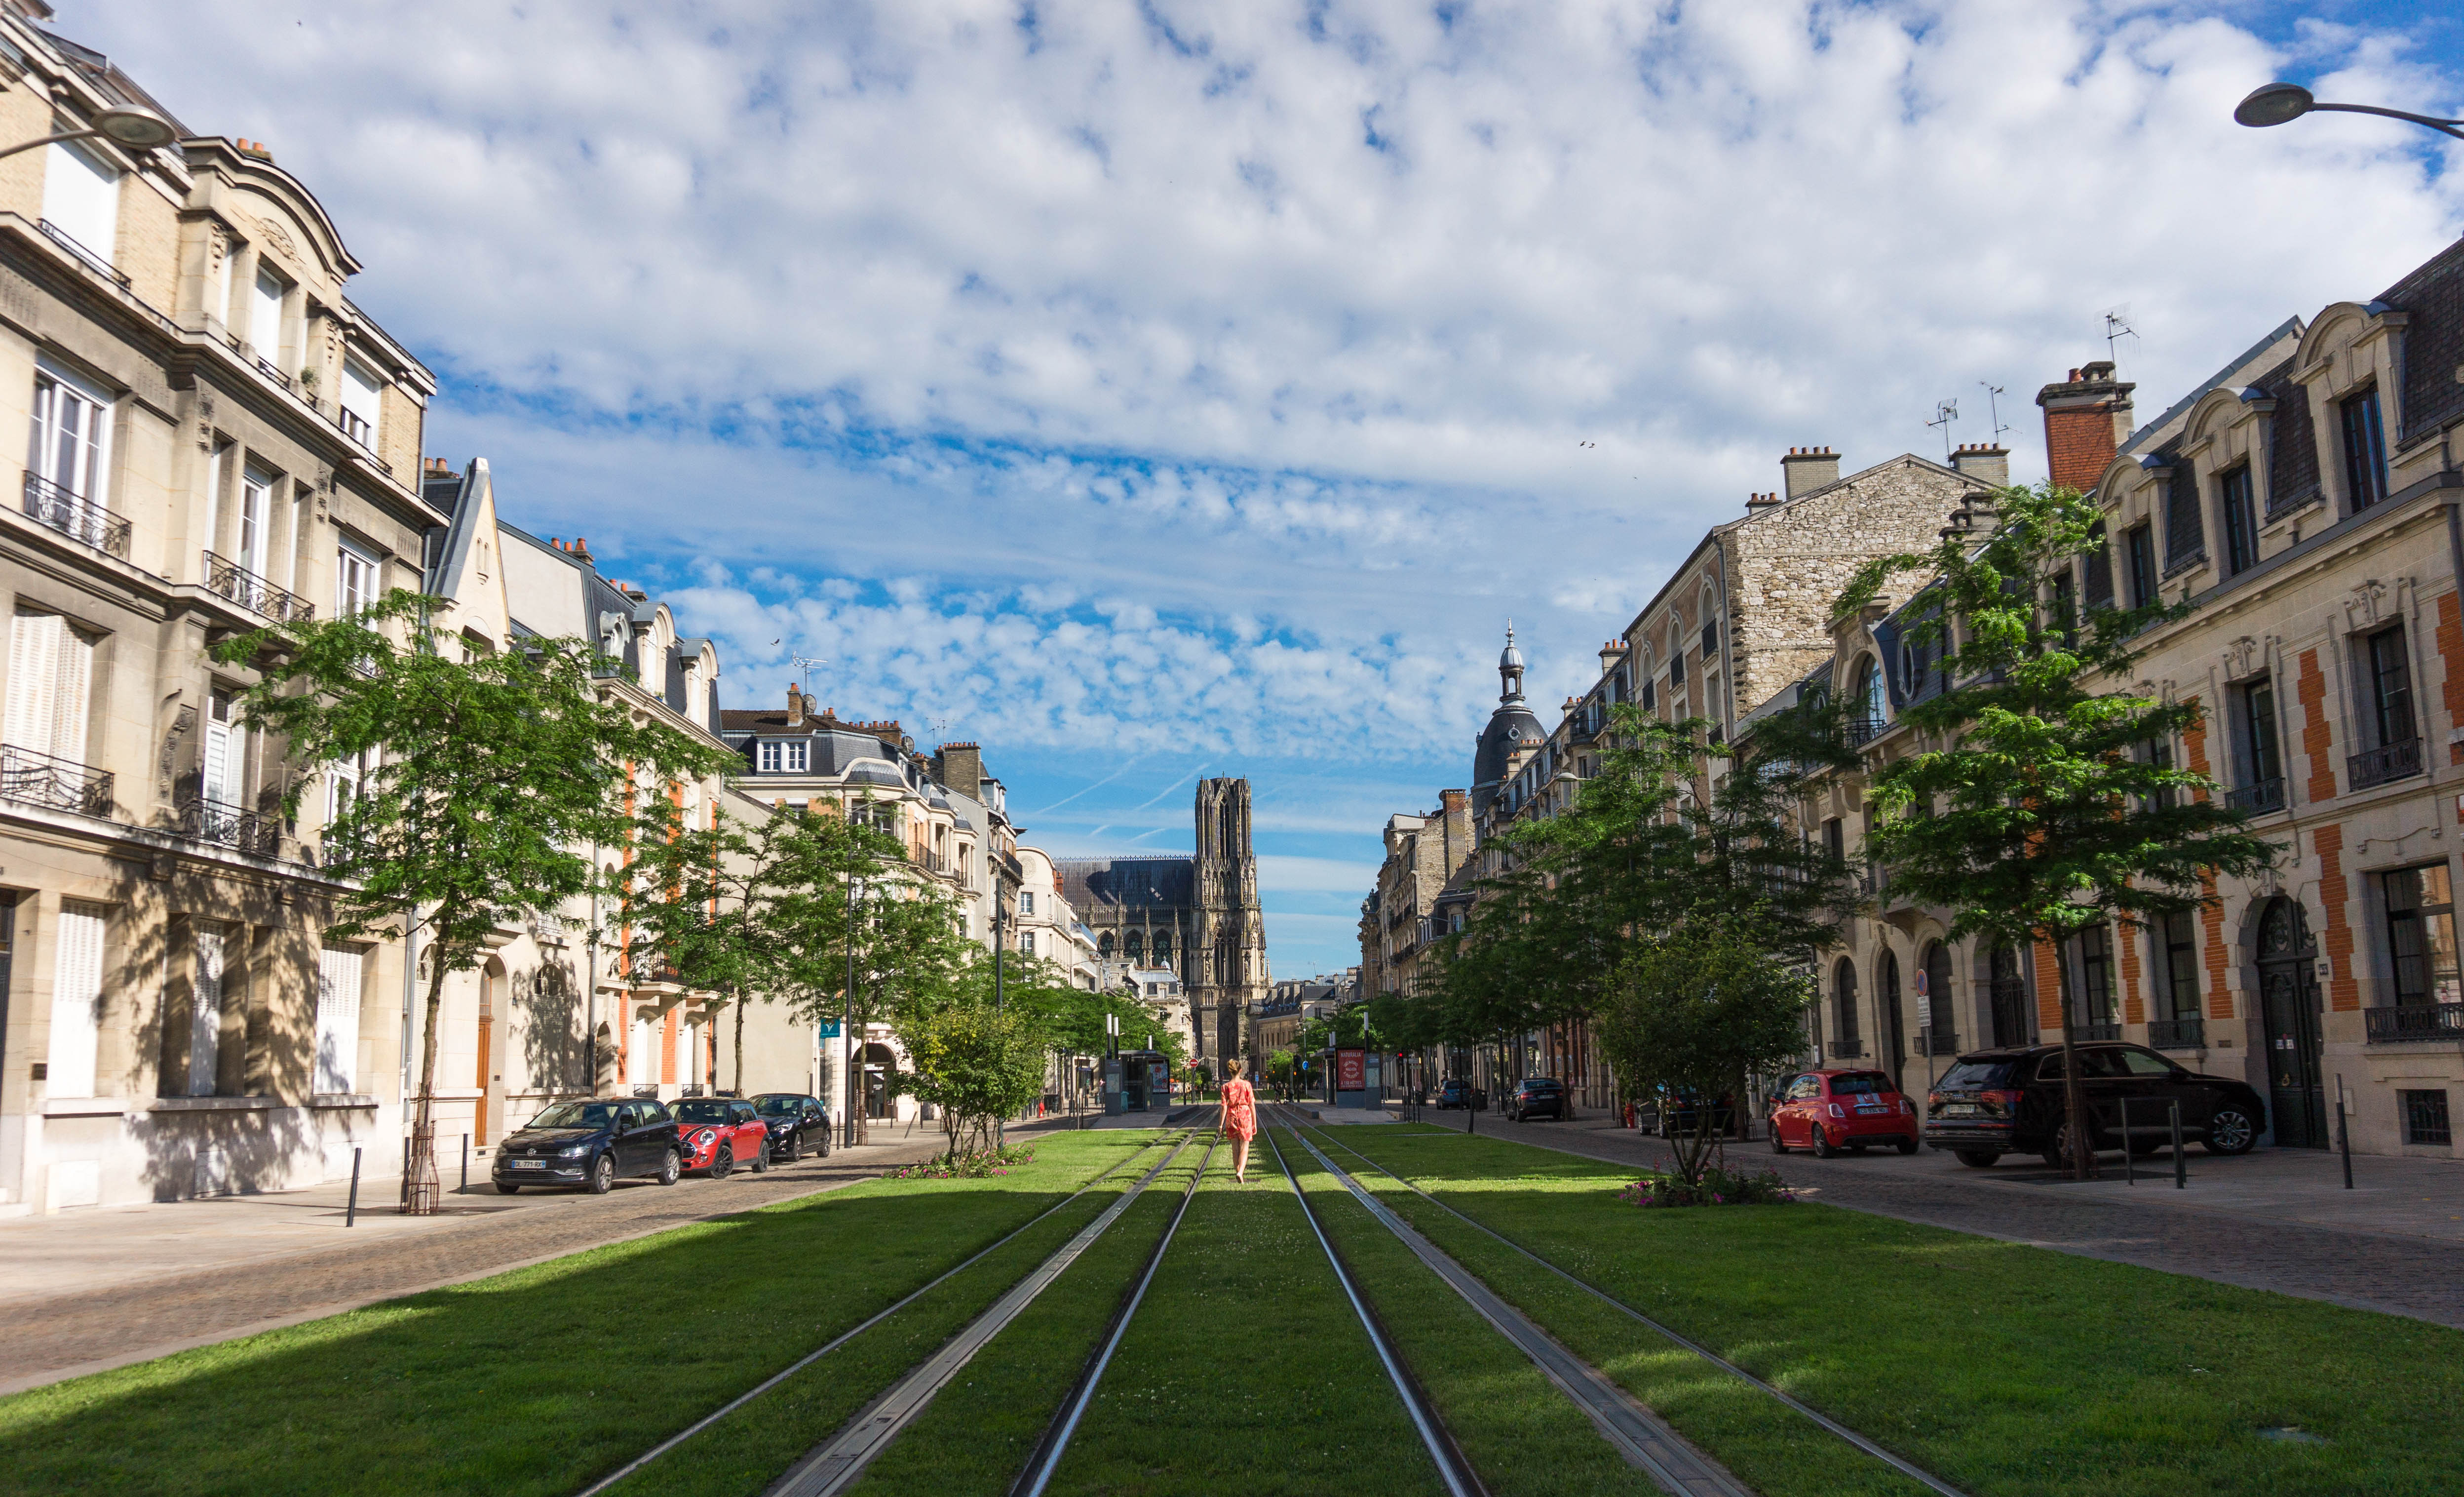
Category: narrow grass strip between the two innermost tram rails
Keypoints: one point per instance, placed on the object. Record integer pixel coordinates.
(1246, 1370)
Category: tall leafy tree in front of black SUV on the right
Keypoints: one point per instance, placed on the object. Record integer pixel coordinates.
(2034, 805)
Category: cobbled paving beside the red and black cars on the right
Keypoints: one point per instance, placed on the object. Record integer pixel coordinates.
(2396, 1257)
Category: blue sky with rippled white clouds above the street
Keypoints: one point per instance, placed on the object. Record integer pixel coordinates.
(1154, 391)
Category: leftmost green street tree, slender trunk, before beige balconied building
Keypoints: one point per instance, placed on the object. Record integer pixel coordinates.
(489, 783)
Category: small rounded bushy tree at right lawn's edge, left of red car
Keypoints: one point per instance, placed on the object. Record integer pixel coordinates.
(1696, 1010)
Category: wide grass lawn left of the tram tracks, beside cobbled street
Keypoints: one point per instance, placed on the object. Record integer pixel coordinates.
(546, 1377)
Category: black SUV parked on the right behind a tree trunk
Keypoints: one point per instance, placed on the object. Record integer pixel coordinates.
(2009, 1101)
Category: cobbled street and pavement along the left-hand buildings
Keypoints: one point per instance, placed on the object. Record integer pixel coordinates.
(255, 1286)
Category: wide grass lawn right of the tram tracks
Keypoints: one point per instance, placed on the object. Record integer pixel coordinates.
(2000, 1368)
